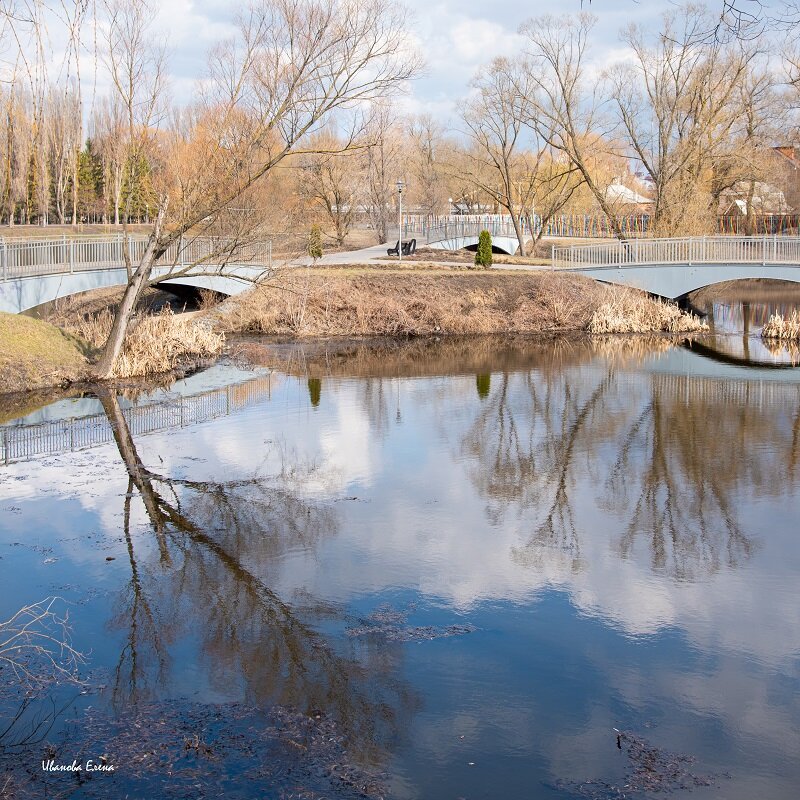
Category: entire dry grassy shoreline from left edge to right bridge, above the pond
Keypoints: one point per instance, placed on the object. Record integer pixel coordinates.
(355, 304)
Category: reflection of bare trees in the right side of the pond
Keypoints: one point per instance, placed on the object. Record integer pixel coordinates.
(668, 455)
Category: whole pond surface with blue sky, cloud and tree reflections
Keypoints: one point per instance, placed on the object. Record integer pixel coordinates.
(445, 569)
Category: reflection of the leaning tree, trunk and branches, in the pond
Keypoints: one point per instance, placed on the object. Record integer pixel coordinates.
(215, 541)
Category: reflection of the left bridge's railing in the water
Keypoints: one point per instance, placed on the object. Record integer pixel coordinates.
(21, 442)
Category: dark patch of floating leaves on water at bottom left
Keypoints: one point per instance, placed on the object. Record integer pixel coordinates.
(179, 750)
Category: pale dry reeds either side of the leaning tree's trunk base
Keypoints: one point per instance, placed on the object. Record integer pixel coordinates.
(158, 343)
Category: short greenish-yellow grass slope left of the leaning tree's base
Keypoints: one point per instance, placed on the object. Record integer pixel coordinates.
(35, 354)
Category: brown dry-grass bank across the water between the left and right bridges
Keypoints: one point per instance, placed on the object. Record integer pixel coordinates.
(382, 302)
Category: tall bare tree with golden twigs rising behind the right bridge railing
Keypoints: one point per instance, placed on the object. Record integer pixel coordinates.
(677, 104)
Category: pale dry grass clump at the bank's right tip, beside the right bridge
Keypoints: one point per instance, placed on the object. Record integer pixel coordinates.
(629, 311)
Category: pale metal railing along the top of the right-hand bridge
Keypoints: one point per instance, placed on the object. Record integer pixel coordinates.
(693, 250)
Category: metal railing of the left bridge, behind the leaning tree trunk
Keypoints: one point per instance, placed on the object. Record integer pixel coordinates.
(24, 258)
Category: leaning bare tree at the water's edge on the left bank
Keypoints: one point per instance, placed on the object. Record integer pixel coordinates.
(294, 64)
